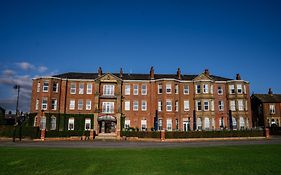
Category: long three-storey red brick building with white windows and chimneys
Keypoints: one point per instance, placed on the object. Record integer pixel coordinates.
(144, 101)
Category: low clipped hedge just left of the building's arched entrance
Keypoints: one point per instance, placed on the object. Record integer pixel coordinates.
(55, 133)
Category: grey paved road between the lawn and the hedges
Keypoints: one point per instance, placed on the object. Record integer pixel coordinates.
(127, 144)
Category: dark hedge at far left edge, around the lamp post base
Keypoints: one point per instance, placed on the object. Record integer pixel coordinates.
(27, 131)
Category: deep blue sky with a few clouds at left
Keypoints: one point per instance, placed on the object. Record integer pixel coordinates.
(40, 38)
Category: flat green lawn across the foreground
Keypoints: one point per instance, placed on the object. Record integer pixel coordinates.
(263, 159)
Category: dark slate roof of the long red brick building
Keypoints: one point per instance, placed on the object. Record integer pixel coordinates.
(129, 76)
